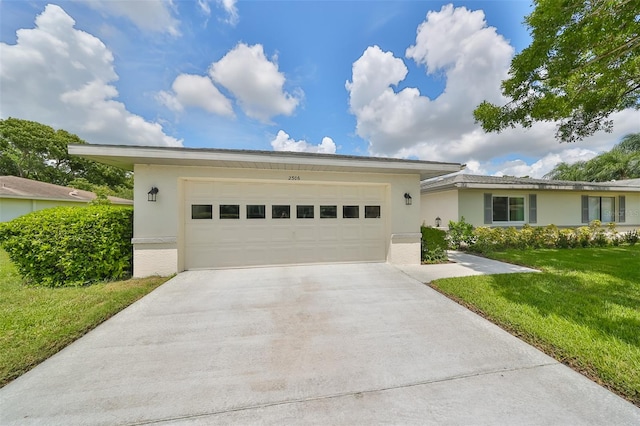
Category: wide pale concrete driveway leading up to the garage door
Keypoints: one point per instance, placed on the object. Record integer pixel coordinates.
(329, 344)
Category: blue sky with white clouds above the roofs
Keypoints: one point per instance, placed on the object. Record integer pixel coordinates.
(378, 78)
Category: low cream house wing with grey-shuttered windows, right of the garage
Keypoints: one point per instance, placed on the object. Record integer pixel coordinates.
(509, 201)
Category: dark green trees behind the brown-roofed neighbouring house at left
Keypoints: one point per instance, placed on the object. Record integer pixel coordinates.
(36, 151)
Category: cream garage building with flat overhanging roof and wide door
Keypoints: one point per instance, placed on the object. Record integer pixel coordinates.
(217, 208)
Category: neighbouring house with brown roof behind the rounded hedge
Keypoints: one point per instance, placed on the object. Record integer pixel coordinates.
(19, 196)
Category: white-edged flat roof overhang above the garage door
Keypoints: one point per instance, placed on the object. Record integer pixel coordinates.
(126, 156)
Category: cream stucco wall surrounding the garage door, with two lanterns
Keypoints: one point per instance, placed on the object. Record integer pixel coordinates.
(163, 220)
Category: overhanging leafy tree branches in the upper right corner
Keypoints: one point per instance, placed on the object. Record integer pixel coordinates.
(582, 66)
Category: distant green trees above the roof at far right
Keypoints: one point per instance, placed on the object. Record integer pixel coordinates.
(622, 162)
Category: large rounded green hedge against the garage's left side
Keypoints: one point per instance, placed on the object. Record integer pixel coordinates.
(71, 246)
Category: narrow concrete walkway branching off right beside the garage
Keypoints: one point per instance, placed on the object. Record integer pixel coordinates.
(464, 265)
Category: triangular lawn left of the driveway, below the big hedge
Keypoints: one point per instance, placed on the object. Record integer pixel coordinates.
(36, 322)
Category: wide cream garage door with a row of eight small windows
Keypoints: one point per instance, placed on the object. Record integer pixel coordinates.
(230, 223)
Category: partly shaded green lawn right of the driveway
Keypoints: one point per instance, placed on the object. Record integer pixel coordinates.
(583, 309)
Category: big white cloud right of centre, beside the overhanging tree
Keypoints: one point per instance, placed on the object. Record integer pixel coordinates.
(455, 42)
